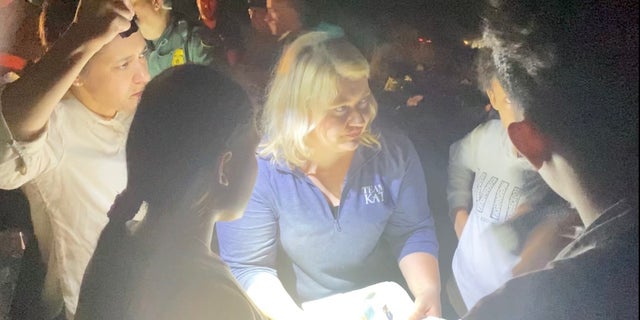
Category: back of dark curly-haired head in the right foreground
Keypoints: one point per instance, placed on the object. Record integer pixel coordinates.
(573, 67)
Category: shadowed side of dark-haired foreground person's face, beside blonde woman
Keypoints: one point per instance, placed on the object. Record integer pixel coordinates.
(242, 170)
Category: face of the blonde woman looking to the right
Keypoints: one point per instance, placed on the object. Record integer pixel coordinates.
(347, 117)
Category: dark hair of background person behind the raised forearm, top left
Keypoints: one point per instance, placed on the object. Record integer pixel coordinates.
(55, 18)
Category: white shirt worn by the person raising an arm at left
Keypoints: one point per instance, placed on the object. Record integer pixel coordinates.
(74, 170)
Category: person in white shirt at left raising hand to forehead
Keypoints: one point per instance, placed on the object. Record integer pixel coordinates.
(63, 132)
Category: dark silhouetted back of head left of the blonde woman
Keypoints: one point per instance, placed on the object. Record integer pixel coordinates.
(184, 122)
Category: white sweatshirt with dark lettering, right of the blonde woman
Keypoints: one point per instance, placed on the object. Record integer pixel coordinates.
(486, 176)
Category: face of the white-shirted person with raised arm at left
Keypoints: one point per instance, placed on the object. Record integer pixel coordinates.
(114, 78)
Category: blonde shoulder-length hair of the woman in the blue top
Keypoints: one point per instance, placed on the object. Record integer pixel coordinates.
(304, 85)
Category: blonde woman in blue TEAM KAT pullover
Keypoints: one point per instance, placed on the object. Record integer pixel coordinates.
(338, 203)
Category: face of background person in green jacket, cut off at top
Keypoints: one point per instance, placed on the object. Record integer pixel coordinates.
(150, 17)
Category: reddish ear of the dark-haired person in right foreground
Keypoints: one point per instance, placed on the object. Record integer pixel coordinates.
(530, 142)
